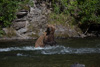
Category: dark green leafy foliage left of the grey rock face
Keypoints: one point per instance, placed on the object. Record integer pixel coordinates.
(8, 8)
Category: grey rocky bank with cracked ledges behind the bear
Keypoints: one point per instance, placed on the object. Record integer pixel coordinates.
(31, 23)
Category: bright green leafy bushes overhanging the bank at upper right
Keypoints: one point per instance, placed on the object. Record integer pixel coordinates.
(84, 11)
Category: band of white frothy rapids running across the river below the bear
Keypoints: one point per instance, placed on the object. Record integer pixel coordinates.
(52, 50)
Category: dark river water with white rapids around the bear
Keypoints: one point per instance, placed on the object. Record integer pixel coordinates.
(71, 52)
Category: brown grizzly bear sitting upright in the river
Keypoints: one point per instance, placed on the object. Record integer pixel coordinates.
(47, 38)
